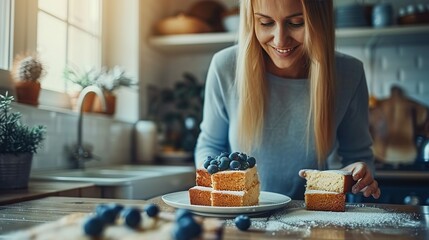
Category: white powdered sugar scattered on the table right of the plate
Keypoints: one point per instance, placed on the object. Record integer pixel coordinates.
(354, 217)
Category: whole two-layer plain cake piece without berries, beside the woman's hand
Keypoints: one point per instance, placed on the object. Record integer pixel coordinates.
(325, 190)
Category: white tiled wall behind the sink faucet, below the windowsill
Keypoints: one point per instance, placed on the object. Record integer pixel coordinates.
(111, 139)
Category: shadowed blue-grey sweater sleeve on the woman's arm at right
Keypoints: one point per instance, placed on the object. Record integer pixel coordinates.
(354, 139)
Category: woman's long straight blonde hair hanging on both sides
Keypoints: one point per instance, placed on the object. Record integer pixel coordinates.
(319, 45)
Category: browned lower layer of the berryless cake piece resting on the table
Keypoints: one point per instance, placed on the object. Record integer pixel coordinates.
(325, 201)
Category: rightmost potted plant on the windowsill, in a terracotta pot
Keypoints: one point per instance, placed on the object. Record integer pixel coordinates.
(109, 81)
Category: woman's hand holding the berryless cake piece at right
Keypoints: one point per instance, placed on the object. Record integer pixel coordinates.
(365, 181)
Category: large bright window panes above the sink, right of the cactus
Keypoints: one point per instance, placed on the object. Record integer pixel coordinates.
(68, 32)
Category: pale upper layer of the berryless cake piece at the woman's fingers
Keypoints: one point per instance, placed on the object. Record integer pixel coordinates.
(330, 180)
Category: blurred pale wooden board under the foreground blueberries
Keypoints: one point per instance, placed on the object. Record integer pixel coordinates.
(71, 228)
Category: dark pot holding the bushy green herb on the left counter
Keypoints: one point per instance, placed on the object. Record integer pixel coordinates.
(15, 170)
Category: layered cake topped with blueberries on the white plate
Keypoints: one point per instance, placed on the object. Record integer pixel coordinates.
(228, 180)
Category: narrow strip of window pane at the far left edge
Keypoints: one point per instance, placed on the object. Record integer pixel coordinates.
(5, 26)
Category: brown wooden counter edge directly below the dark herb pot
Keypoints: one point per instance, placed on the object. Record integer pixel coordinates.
(39, 189)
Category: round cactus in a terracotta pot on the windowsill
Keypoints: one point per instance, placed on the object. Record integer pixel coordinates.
(26, 73)
